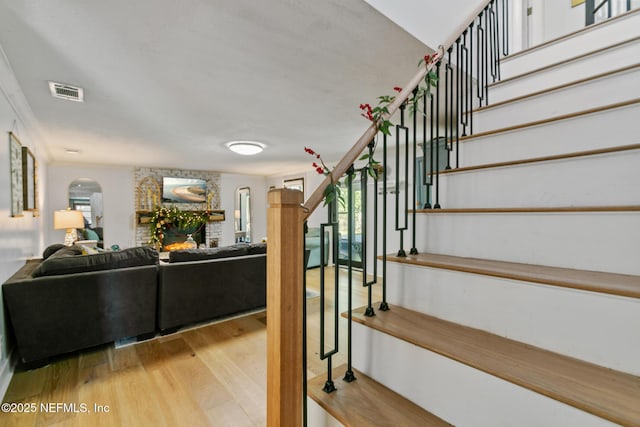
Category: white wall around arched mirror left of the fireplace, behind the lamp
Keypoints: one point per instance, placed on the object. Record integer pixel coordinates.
(117, 197)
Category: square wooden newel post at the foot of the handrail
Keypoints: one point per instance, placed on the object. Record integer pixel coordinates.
(284, 308)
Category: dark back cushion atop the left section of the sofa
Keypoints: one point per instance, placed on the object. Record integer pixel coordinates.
(68, 261)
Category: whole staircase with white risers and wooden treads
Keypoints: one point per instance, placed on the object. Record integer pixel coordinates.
(523, 306)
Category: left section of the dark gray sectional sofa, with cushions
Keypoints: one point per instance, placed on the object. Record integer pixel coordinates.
(70, 302)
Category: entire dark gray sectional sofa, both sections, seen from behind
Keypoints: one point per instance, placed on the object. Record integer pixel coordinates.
(70, 301)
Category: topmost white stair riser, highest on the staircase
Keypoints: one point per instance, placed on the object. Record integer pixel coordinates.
(587, 41)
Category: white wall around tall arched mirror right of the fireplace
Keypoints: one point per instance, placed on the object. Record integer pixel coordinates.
(229, 183)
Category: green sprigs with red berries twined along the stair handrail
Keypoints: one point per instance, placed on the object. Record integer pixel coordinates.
(380, 116)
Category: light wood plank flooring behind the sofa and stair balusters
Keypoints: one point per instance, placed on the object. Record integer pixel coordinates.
(211, 375)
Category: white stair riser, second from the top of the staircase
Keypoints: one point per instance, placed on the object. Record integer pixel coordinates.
(568, 72)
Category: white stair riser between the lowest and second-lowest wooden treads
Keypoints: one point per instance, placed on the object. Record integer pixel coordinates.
(455, 392)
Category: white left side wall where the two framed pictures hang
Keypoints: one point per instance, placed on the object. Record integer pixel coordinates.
(20, 237)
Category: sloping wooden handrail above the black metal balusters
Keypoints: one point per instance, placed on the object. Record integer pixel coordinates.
(352, 155)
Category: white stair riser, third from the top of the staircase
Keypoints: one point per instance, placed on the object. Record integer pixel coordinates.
(604, 91)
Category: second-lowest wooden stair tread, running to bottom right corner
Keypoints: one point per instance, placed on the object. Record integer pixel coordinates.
(603, 392)
